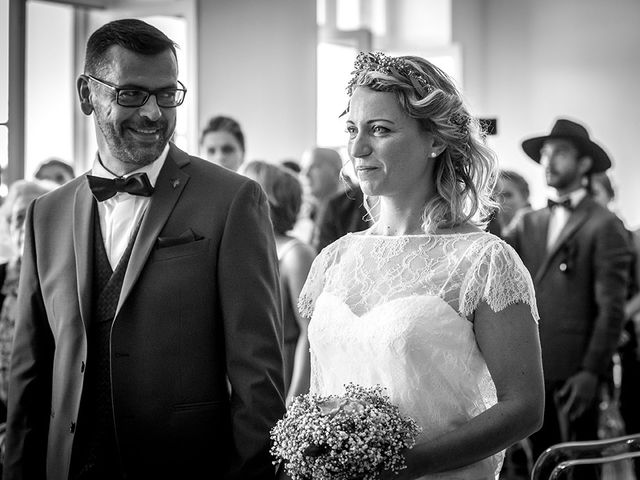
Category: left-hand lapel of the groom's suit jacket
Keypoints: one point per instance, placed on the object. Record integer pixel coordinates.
(83, 219)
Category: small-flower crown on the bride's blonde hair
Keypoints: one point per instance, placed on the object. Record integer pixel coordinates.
(396, 66)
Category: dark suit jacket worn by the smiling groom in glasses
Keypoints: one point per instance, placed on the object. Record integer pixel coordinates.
(193, 312)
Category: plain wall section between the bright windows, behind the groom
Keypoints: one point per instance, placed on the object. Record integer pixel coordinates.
(257, 64)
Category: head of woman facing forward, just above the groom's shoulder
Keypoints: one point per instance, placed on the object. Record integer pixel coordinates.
(222, 142)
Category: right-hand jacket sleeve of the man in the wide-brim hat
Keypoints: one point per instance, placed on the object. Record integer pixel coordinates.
(612, 262)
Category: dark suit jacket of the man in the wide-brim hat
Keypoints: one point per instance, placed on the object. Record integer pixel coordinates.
(581, 286)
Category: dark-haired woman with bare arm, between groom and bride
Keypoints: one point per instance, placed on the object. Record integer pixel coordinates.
(284, 192)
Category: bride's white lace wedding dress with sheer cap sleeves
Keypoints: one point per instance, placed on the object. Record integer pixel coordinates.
(398, 312)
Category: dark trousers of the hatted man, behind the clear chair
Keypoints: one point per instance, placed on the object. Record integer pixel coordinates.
(584, 428)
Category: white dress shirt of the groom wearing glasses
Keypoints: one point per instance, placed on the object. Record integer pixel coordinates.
(120, 214)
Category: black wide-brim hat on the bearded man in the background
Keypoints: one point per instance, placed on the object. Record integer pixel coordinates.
(578, 135)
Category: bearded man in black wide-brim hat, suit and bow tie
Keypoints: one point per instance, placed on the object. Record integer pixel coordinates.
(579, 256)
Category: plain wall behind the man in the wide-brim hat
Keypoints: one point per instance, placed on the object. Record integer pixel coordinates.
(547, 58)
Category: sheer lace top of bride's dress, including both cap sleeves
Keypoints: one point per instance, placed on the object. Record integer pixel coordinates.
(462, 269)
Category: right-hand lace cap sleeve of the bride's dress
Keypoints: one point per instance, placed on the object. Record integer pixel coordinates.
(498, 277)
